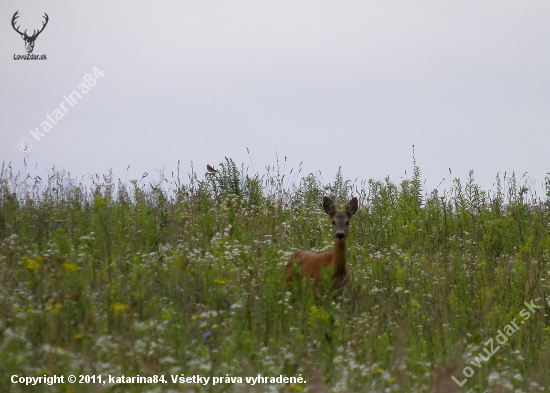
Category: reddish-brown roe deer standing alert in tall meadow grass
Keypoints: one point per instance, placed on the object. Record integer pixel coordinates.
(310, 263)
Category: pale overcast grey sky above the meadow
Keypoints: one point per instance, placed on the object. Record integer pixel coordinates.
(350, 84)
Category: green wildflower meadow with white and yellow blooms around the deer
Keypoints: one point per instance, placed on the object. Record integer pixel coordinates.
(183, 275)
